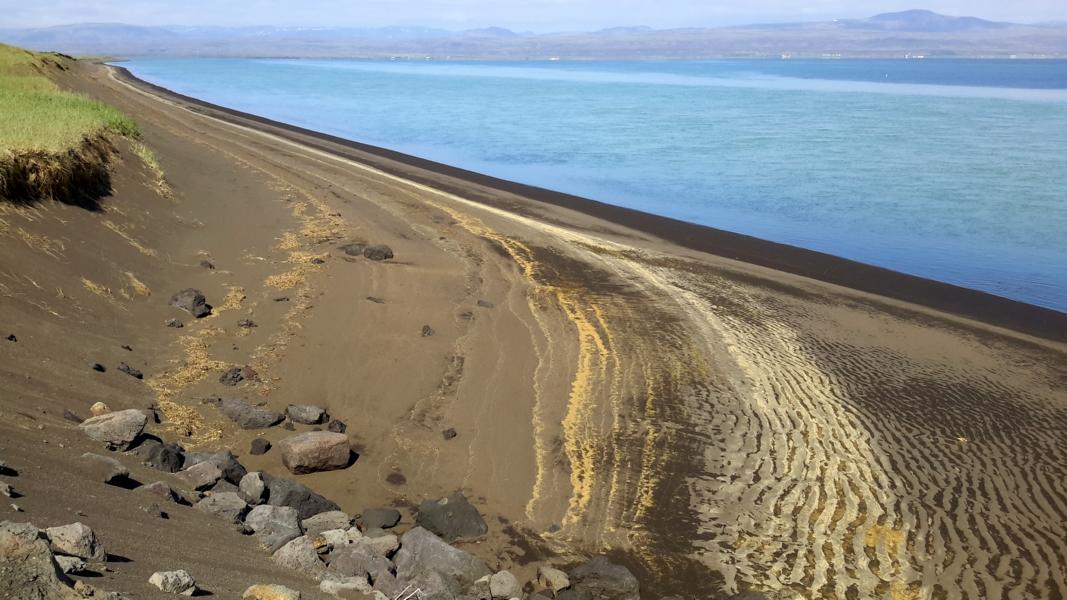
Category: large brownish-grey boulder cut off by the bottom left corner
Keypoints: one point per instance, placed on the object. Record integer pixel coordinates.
(28, 567)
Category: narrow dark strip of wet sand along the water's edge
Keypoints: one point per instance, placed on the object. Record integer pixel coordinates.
(986, 308)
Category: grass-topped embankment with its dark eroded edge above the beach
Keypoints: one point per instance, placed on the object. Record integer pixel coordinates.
(53, 143)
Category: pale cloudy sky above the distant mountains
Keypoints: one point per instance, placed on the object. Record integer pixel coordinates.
(521, 15)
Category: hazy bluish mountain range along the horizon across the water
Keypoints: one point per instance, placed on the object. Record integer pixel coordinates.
(910, 34)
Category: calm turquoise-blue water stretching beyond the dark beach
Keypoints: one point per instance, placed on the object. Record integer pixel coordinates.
(954, 170)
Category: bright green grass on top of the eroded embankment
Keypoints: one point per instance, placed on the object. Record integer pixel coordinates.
(36, 116)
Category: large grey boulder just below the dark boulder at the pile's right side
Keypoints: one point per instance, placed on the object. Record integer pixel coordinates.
(428, 563)
